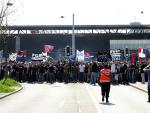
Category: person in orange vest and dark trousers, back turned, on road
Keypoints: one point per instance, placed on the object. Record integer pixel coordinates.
(105, 82)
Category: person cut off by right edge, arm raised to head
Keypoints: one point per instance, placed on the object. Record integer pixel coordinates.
(147, 70)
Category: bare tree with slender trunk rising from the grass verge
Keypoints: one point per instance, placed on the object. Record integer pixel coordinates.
(6, 10)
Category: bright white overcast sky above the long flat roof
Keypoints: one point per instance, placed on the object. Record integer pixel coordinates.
(87, 12)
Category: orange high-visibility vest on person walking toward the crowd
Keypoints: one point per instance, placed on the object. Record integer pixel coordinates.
(104, 75)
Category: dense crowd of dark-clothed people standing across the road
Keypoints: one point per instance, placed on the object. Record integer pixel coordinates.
(63, 71)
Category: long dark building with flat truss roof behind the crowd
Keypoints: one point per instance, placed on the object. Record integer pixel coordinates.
(92, 38)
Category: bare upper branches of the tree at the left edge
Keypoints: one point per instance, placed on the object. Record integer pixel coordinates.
(10, 10)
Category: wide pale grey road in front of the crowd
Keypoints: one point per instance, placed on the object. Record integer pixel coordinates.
(74, 98)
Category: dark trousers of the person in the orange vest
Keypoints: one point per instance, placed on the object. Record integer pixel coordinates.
(105, 89)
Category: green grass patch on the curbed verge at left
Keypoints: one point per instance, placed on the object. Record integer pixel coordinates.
(8, 85)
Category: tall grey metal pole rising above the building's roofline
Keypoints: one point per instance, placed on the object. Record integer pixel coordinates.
(73, 36)
